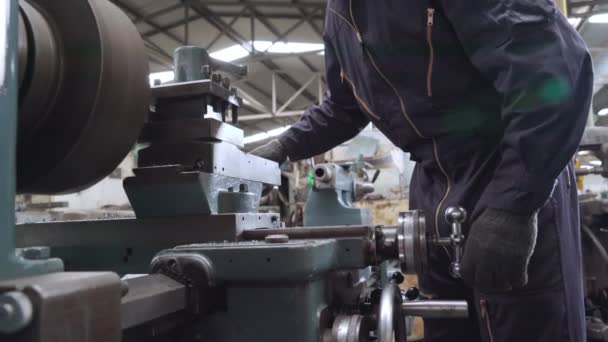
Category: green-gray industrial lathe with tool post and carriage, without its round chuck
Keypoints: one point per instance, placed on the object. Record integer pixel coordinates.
(74, 100)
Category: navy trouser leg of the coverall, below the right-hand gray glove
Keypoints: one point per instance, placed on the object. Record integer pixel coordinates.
(549, 309)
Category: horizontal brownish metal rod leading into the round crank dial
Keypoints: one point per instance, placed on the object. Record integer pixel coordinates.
(311, 232)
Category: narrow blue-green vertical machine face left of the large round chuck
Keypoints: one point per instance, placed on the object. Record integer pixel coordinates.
(8, 128)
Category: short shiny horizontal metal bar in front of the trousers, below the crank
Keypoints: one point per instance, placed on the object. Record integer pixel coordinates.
(436, 309)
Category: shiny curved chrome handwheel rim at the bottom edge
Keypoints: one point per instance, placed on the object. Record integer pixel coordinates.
(391, 321)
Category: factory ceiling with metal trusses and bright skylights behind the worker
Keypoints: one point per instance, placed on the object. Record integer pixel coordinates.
(286, 60)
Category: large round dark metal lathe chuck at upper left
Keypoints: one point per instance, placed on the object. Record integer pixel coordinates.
(84, 93)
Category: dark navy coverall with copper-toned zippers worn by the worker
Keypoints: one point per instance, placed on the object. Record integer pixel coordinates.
(490, 97)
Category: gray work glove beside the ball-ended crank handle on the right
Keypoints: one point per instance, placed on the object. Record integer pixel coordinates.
(498, 250)
